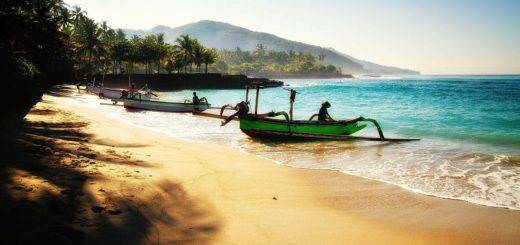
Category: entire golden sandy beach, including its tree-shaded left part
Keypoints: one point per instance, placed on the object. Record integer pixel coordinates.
(122, 184)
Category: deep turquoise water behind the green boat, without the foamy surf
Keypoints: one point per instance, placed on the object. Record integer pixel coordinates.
(473, 109)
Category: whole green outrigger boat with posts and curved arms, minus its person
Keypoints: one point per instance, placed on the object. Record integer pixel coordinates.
(266, 126)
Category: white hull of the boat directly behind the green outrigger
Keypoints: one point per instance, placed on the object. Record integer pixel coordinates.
(157, 105)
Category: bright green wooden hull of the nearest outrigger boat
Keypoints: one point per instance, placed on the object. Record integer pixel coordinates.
(281, 129)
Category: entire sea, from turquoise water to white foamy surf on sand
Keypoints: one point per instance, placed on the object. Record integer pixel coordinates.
(469, 128)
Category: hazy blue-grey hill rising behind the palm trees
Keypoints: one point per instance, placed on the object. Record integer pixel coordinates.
(221, 35)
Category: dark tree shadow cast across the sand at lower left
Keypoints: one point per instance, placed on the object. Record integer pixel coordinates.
(45, 171)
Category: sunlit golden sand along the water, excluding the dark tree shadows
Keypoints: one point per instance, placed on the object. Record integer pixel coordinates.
(257, 201)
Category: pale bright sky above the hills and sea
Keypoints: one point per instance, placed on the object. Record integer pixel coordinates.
(433, 37)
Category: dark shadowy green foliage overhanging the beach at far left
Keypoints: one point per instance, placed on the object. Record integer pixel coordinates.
(35, 51)
